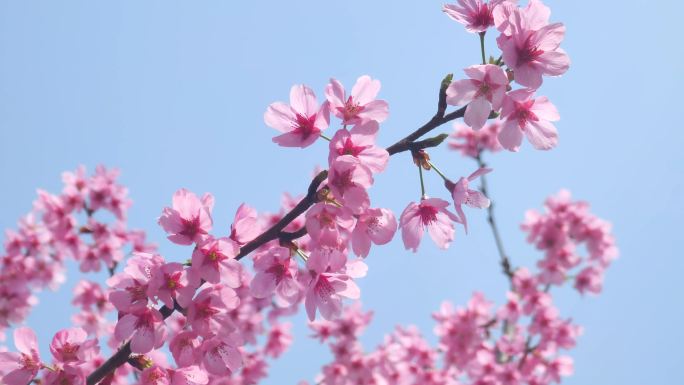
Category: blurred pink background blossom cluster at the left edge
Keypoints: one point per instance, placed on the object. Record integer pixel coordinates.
(75, 224)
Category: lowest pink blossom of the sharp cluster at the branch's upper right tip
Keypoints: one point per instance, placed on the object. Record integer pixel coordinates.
(523, 114)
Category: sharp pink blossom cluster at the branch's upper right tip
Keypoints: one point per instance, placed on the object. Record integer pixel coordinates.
(530, 49)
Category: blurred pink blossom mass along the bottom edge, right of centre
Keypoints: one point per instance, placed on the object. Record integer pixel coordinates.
(468, 351)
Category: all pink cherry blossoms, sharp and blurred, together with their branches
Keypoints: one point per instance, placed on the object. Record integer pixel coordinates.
(209, 319)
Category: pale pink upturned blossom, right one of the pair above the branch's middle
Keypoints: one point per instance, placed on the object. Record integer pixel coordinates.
(361, 106)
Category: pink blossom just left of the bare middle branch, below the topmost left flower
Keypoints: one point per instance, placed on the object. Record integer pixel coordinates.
(214, 261)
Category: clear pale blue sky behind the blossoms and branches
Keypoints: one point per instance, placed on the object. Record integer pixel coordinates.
(173, 94)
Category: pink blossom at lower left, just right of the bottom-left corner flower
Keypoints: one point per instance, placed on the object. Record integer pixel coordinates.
(70, 345)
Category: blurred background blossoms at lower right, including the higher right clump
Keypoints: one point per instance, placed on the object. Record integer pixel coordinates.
(520, 342)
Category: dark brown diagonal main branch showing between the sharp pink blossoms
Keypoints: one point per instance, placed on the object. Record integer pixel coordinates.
(408, 143)
